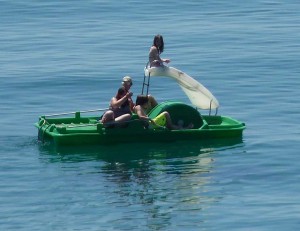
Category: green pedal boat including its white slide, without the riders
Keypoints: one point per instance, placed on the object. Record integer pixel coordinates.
(78, 128)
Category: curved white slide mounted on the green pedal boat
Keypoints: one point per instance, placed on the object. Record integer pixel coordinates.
(199, 96)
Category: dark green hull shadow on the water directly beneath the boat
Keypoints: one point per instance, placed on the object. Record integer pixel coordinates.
(131, 151)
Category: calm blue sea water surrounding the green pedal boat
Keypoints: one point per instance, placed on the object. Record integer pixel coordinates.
(59, 56)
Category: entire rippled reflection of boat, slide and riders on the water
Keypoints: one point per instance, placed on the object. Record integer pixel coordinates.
(155, 180)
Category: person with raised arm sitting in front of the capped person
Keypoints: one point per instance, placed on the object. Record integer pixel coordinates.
(119, 108)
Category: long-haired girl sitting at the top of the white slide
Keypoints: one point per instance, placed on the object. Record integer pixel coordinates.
(156, 49)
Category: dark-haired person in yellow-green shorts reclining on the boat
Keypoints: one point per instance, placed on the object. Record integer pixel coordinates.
(163, 119)
